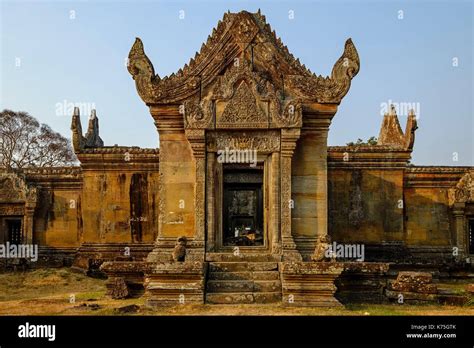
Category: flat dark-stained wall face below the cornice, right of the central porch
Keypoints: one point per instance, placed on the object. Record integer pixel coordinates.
(365, 205)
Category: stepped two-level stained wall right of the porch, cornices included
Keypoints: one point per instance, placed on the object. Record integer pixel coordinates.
(403, 210)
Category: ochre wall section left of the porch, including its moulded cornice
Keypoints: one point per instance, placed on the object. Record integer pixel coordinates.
(119, 195)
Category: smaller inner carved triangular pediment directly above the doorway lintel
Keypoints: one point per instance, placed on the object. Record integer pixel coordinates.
(243, 98)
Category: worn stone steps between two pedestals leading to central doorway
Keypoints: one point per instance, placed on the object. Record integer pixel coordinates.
(243, 282)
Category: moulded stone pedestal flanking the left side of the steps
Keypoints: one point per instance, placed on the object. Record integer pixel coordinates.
(175, 283)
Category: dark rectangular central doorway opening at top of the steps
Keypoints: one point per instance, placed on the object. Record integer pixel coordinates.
(243, 207)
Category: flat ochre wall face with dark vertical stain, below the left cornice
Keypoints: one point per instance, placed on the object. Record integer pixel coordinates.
(120, 207)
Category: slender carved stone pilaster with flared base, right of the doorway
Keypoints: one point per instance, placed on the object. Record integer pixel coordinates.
(288, 144)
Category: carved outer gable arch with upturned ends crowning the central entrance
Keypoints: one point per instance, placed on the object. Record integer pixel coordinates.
(242, 35)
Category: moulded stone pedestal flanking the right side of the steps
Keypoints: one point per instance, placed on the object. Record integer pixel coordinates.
(310, 283)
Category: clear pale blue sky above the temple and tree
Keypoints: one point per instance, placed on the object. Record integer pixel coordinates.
(57, 53)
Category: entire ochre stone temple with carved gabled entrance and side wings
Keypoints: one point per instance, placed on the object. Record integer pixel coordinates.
(243, 197)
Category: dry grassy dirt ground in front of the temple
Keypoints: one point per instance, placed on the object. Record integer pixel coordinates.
(64, 292)
